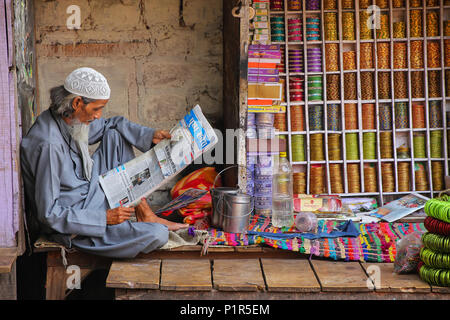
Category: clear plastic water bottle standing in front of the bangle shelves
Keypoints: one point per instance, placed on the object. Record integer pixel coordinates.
(282, 193)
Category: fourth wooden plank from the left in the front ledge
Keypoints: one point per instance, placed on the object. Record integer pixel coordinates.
(293, 275)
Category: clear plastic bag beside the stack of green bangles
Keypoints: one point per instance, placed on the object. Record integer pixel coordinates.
(407, 257)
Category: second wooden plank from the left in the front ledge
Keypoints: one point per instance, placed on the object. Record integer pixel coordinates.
(186, 274)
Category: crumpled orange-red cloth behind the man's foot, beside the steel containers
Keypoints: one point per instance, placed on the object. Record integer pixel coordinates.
(200, 179)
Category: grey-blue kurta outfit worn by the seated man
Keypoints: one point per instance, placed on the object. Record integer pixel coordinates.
(72, 210)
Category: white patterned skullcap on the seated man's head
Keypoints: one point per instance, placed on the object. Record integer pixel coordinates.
(88, 83)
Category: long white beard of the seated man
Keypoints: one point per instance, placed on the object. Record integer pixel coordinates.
(80, 134)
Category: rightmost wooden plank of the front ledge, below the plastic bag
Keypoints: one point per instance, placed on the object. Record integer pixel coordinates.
(386, 280)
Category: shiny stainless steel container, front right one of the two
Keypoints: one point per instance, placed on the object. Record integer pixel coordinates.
(237, 209)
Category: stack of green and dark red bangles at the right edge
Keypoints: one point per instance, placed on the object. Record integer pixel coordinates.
(434, 267)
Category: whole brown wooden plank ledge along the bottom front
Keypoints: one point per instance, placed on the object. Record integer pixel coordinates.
(239, 276)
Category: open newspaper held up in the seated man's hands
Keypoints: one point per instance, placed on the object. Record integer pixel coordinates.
(192, 136)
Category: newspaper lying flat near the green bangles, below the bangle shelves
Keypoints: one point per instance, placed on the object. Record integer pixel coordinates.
(400, 208)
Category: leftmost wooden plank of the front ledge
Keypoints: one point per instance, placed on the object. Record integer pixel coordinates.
(134, 273)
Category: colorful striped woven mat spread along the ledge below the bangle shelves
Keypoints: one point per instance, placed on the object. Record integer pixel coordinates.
(376, 242)
